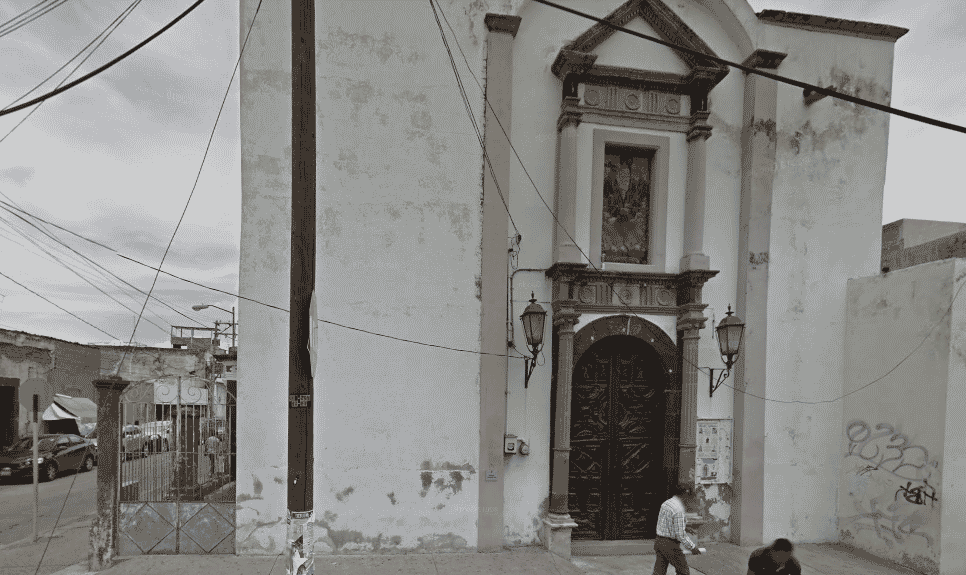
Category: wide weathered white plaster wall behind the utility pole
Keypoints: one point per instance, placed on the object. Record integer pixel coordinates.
(399, 190)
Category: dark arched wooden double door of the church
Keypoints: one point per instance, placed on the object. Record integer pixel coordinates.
(617, 481)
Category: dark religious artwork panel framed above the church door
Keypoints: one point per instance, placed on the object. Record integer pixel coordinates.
(627, 201)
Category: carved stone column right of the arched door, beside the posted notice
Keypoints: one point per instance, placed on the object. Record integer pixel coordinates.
(691, 321)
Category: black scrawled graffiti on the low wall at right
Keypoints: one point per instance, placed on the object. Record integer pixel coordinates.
(893, 495)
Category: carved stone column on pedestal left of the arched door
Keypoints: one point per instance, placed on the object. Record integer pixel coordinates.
(558, 524)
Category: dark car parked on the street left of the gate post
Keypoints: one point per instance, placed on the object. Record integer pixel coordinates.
(56, 452)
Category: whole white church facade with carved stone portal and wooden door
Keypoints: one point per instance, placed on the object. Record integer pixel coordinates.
(637, 193)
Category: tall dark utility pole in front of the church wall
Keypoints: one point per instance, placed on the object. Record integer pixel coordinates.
(300, 539)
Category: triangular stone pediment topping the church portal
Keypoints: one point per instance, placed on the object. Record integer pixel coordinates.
(601, 48)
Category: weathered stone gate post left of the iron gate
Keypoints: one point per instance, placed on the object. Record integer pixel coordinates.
(103, 533)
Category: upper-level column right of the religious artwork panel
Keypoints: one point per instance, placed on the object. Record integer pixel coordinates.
(698, 134)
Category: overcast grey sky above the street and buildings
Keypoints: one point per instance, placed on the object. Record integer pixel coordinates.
(115, 158)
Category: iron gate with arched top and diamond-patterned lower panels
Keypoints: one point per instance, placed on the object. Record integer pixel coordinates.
(177, 468)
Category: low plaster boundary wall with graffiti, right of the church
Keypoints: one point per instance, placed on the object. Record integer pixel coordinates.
(895, 496)
